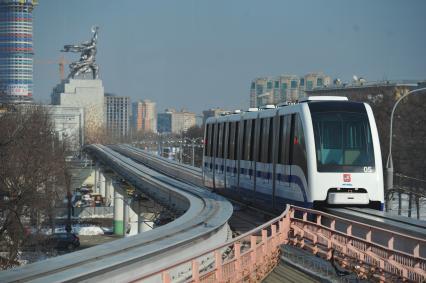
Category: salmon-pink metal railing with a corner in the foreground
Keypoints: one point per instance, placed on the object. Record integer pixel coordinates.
(372, 253)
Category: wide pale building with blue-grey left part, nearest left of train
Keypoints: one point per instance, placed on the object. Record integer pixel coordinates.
(175, 122)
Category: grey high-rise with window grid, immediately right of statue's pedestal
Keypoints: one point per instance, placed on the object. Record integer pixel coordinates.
(117, 115)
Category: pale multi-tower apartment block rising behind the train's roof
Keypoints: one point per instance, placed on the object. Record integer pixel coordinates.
(274, 90)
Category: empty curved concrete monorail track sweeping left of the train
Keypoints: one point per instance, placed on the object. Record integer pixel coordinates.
(202, 226)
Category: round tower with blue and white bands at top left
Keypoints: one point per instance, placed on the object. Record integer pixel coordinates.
(16, 50)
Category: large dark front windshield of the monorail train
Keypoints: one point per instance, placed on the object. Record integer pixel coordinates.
(343, 142)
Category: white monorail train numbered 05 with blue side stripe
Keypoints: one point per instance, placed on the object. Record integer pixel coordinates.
(322, 151)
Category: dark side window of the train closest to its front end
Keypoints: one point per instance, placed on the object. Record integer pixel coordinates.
(298, 144)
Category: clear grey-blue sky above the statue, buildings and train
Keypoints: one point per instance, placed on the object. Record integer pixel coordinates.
(200, 54)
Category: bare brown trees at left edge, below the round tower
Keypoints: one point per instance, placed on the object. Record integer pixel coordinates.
(33, 178)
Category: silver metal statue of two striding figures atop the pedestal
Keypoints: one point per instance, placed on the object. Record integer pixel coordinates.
(87, 62)
